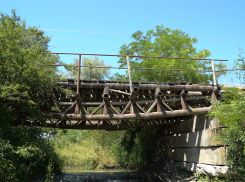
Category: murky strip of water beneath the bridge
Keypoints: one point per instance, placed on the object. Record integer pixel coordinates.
(81, 175)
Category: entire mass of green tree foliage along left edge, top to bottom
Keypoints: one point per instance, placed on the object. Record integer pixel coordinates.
(24, 85)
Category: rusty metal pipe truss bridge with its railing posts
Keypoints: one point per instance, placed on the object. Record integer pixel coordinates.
(112, 105)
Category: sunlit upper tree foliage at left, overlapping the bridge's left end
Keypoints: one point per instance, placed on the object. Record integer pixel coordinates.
(24, 82)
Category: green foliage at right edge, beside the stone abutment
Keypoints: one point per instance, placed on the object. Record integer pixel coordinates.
(231, 112)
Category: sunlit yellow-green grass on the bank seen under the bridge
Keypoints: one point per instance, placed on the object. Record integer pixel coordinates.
(86, 149)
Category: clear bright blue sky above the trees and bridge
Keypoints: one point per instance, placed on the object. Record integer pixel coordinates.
(102, 27)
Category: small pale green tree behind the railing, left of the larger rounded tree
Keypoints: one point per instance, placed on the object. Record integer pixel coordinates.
(89, 72)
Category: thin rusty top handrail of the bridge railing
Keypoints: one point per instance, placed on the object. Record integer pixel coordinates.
(132, 56)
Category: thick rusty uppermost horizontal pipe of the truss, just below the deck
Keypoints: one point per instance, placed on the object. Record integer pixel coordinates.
(141, 87)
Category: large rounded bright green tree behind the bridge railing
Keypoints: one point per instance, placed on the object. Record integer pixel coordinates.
(168, 43)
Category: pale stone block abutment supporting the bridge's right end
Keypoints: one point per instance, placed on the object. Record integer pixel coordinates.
(194, 148)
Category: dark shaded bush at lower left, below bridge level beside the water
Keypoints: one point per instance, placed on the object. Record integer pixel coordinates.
(25, 152)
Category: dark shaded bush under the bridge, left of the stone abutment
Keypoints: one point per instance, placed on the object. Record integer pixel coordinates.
(138, 146)
